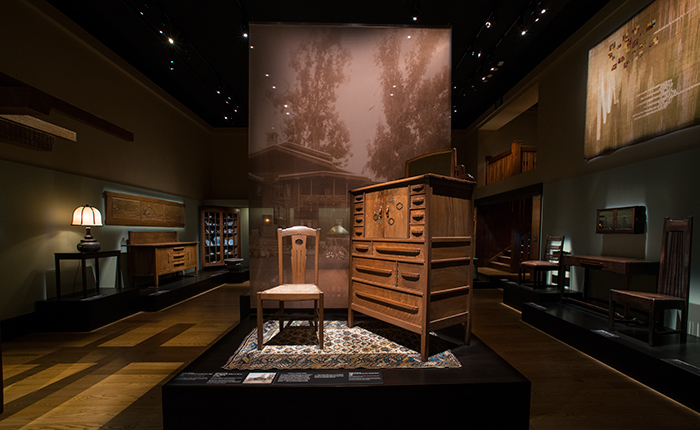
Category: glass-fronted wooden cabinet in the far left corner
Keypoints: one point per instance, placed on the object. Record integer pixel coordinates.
(220, 235)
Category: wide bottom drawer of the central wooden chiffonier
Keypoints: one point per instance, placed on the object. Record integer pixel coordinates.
(394, 304)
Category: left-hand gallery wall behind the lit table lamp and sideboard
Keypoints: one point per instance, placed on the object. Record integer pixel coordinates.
(171, 157)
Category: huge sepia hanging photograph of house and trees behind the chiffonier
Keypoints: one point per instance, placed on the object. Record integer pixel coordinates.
(332, 108)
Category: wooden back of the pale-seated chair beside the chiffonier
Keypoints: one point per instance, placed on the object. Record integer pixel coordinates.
(299, 236)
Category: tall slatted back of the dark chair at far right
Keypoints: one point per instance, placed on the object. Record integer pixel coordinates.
(674, 269)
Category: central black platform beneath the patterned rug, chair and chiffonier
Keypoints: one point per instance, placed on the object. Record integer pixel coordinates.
(486, 392)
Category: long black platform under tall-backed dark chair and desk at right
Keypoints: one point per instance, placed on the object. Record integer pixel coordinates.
(671, 368)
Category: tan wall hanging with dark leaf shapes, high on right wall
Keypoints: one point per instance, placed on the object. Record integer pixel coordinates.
(644, 79)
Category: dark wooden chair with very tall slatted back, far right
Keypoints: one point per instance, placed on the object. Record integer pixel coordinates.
(672, 287)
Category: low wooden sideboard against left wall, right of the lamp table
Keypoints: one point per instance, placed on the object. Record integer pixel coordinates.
(155, 253)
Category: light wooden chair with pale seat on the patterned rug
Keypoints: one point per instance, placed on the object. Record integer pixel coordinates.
(298, 289)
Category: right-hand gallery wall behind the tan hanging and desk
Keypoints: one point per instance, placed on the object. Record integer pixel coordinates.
(658, 173)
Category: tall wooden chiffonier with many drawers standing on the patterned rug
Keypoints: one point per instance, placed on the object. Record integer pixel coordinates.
(412, 252)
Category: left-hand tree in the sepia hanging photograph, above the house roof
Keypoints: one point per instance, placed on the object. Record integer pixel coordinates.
(310, 115)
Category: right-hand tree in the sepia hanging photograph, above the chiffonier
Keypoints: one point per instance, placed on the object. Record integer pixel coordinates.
(416, 106)
